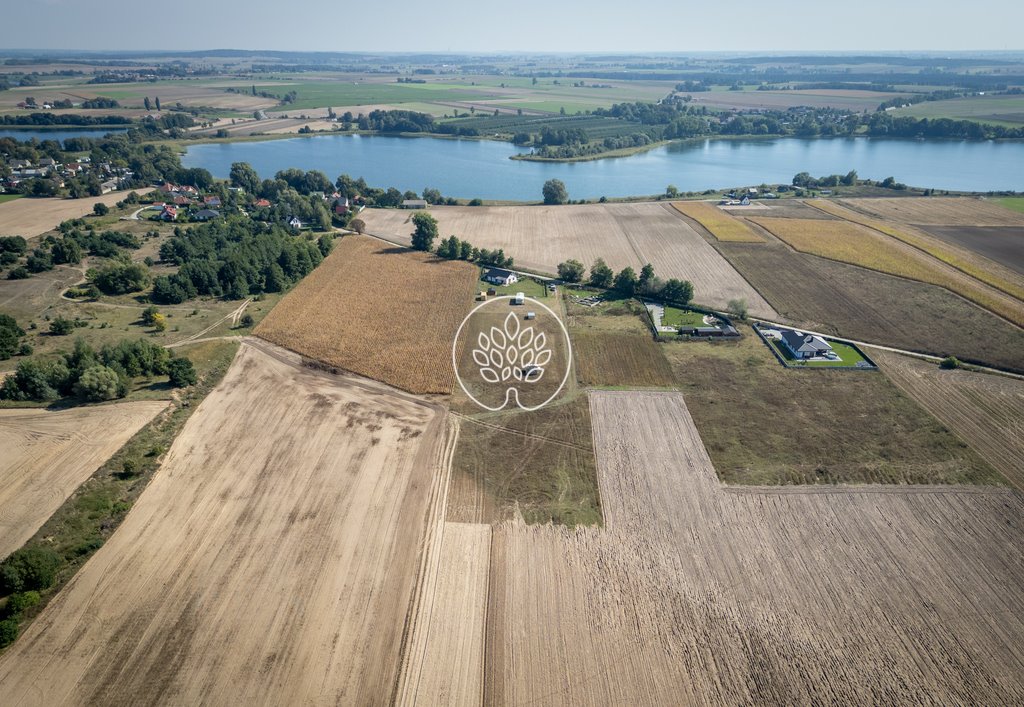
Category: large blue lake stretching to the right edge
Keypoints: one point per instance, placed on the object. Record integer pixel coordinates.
(481, 169)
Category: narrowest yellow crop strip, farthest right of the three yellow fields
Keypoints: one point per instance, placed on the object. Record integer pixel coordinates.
(985, 270)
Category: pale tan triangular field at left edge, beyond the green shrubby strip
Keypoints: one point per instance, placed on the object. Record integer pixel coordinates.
(48, 455)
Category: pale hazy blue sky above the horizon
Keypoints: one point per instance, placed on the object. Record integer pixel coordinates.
(534, 26)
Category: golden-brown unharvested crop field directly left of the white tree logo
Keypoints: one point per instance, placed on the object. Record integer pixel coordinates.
(403, 336)
